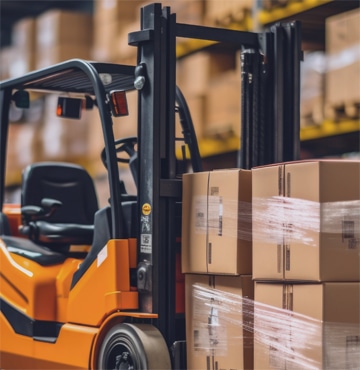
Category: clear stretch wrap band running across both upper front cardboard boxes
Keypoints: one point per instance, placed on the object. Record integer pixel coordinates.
(274, 218)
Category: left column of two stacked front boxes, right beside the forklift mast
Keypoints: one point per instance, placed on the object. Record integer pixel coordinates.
(216, 258)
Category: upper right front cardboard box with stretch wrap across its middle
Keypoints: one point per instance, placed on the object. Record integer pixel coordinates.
(306, 223)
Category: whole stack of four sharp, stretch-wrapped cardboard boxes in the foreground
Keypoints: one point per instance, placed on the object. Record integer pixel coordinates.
(298, 244)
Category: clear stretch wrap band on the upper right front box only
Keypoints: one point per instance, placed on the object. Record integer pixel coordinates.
(276, 218)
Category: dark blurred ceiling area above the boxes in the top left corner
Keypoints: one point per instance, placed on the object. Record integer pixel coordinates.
(13, 10)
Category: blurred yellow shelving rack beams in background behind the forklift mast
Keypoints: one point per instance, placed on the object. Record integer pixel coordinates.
(316, 139)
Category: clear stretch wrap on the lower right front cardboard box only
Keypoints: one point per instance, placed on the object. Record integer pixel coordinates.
(295, 341)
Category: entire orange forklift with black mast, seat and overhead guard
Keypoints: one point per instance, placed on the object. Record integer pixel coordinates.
(120, 303)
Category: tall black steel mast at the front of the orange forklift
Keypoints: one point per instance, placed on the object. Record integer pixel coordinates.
(270, 69)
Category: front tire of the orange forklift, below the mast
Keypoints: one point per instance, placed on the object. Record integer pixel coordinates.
(134, 347)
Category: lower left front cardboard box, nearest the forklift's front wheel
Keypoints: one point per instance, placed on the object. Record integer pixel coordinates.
(219, 312)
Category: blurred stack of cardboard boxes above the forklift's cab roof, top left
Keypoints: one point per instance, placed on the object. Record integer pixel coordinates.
(52, 37)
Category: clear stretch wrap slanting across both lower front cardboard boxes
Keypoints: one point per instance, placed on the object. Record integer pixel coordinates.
(287, 340)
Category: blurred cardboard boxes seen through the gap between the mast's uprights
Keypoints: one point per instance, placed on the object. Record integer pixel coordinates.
(211, 83)
